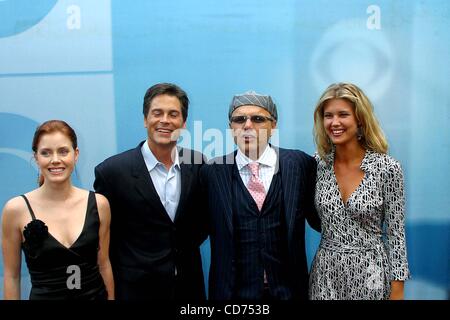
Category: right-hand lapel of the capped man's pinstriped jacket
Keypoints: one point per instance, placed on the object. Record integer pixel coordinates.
(290, 184)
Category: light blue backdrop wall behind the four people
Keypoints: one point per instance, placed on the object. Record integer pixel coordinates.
(90, 62)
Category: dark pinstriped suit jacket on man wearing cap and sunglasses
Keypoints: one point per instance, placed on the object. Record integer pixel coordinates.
(298, 174)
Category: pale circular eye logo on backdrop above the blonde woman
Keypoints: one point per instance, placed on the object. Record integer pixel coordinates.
(349, 52)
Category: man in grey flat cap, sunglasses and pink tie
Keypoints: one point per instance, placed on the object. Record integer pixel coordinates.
(258, 199)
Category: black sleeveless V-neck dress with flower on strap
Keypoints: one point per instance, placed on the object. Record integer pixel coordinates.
(58, 272)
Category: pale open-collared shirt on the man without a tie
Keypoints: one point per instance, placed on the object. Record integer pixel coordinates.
(167, 182)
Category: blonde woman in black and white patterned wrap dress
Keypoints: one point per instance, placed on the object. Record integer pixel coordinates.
(360, 199)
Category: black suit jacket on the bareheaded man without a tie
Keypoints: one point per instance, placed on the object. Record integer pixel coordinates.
(146, 245)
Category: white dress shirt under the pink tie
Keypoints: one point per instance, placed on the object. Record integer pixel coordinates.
(267, 163)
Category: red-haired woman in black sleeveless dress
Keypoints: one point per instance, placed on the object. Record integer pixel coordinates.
(62, 230)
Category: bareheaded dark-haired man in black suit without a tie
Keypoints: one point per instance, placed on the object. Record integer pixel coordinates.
(156, 223)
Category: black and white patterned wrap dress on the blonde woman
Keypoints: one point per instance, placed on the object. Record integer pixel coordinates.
(362, 246)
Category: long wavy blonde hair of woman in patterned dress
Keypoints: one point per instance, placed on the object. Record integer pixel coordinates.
(372, 138)
